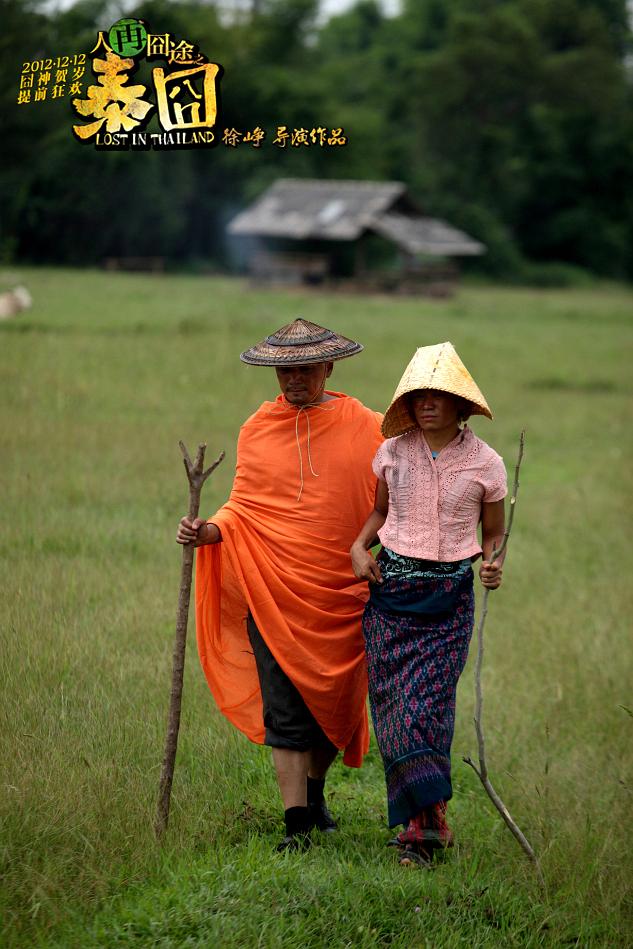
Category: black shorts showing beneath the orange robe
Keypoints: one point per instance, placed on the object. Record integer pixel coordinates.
(288, 721)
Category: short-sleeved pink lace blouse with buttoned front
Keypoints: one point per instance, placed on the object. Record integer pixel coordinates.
(435, 505)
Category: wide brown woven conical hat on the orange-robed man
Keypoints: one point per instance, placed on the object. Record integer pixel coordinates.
(300, 343)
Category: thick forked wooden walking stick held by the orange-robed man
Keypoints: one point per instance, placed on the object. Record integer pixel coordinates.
(196, 477)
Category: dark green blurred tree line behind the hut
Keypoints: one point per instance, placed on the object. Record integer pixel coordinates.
(511, 118)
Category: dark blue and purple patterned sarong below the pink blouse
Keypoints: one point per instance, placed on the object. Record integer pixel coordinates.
(417, 626)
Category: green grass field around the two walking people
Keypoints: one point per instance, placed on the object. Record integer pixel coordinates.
(99, 381)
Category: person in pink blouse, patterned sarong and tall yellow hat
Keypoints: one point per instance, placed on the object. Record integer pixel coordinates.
(436, 482)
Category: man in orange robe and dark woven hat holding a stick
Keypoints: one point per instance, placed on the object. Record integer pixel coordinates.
(278, 608)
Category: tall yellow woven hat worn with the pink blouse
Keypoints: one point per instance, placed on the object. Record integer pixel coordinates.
(432, 367)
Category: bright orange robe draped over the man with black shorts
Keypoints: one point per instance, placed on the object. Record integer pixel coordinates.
(286, 558)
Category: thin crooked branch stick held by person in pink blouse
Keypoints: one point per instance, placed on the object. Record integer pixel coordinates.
(482, 770)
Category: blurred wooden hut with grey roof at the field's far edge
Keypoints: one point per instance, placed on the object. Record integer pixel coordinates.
(304, 230)
